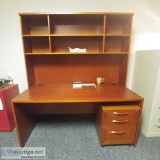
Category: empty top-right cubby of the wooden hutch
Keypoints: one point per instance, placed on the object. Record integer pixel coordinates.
(118, 24)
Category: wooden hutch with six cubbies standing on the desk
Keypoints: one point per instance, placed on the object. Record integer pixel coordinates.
(48, 37)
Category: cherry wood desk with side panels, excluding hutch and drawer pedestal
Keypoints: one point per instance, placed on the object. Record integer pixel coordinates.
(63, 99)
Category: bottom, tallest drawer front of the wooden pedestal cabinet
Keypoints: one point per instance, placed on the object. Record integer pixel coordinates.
(118, 136)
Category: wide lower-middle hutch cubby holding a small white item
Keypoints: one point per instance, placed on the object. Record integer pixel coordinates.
(60, 44)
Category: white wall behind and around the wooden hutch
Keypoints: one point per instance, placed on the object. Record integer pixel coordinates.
(146, 27)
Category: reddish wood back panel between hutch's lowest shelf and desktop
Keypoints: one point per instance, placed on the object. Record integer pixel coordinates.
(69, 68)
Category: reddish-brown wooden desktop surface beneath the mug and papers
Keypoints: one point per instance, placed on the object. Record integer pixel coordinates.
(59, 93)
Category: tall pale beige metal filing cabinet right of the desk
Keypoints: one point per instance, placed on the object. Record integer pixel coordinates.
(146, 82)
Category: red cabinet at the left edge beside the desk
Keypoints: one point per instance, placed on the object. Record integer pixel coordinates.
(6, 117)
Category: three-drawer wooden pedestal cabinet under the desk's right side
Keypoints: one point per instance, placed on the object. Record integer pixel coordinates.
(118, 124)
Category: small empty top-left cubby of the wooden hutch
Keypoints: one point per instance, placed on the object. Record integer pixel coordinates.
(34, 24)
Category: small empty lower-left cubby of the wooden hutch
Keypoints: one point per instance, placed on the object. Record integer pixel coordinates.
(37, 44)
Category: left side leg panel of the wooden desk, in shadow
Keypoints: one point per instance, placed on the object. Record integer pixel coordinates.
(24, 120)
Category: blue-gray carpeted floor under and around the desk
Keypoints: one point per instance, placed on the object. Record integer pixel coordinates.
(72, 138)
